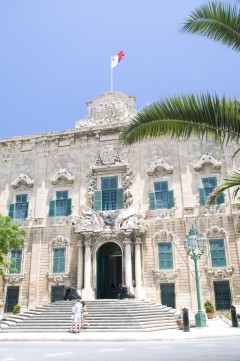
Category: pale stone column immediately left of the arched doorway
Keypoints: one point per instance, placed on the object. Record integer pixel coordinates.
(87, 292)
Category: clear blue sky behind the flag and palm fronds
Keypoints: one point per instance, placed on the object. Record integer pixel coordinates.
(55, 56)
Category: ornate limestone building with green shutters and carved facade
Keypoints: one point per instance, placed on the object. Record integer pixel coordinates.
(98, 214)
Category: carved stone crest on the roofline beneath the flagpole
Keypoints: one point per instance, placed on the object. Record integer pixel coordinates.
(108, 109)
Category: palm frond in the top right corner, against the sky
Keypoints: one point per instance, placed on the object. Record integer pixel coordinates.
(217, 21)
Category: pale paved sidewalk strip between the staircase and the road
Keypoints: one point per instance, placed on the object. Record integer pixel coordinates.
(215, 328)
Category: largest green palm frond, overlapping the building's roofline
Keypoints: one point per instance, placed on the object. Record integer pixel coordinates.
(183, 116)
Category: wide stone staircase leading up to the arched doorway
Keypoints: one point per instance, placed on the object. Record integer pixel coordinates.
(104, 315)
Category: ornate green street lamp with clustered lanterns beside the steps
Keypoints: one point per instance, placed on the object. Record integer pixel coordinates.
(195, 245)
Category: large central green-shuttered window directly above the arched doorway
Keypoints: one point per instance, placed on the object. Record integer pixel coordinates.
(110, 197)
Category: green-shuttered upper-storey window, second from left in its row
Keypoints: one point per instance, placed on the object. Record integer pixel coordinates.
(61, 206)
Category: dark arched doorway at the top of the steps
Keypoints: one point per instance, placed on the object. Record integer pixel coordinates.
(109, 270)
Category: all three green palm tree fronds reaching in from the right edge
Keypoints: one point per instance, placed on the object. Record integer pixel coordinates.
(200, 115)
